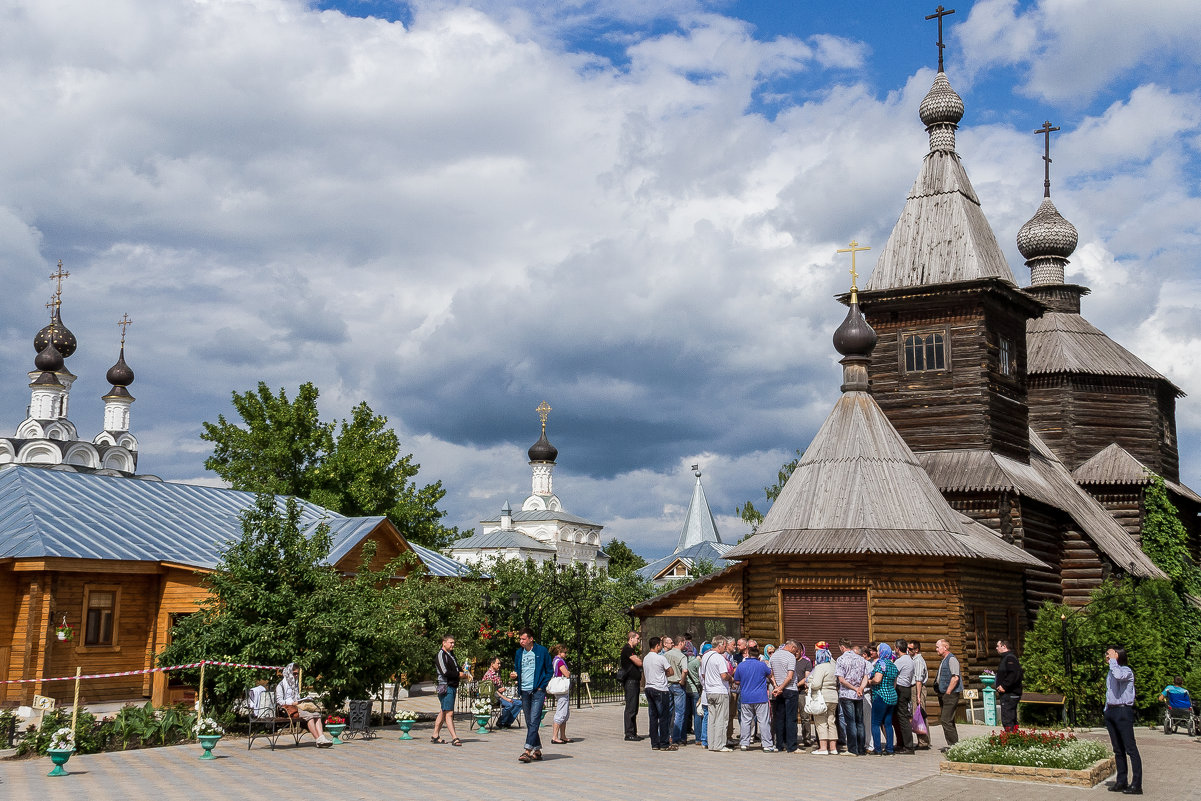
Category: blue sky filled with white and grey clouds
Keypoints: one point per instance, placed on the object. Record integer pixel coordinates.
(630, 210)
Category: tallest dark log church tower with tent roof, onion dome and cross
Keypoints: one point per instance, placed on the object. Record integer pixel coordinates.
(951, 367)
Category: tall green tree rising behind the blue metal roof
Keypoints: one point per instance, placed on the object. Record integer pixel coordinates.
(354, 468)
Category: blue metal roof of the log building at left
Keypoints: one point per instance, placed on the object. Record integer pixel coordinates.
(49, 513)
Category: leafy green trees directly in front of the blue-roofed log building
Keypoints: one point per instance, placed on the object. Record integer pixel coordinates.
(274, 599)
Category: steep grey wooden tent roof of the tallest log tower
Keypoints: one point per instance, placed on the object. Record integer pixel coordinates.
(942, 236)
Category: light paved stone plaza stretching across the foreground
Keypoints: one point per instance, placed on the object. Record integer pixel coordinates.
(600, 766)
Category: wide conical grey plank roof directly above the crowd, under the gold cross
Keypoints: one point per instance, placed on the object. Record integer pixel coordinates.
(859, 489)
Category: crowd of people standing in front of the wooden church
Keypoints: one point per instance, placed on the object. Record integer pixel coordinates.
(865, 701)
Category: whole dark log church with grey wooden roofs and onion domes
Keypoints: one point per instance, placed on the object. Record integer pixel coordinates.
(989, 452)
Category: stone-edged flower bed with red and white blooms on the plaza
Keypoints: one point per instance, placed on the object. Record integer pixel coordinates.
(1032, 756)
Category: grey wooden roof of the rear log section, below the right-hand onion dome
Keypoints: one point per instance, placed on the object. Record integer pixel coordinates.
(1067, 343)
